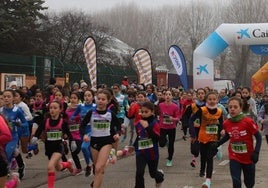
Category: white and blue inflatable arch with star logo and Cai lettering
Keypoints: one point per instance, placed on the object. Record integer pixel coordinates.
(255, 35)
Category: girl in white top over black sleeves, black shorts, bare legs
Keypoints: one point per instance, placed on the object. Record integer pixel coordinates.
(104, 124)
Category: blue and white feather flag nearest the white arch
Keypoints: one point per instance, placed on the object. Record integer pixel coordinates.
(179, 63)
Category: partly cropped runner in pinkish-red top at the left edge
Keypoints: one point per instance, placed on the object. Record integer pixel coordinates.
(5, 137)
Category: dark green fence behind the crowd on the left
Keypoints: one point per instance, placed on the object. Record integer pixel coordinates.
(43, 68)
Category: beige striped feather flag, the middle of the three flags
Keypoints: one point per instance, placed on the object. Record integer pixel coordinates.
(142, 59)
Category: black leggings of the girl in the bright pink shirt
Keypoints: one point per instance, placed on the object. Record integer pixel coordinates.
(171, 139)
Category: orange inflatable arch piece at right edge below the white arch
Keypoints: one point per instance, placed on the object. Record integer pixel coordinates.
(259, 78)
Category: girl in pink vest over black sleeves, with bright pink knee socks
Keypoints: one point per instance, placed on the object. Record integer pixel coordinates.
(55, 127)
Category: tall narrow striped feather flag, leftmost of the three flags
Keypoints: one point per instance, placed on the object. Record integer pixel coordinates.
(90, 55)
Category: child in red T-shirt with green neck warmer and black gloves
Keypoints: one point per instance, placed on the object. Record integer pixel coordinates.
(242, 154)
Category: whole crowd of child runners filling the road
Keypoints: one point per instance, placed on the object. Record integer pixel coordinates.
(76, 118)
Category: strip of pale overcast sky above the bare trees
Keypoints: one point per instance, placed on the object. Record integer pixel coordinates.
(96, 5)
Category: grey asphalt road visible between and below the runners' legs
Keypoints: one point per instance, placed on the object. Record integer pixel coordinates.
(122, 174)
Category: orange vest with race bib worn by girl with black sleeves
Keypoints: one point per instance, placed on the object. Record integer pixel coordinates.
(209, 127)
